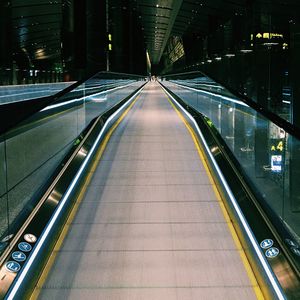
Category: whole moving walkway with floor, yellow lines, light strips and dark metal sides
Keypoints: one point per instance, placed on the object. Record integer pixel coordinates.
(142, 207)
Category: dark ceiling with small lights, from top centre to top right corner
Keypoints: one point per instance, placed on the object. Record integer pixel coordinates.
(164, 18)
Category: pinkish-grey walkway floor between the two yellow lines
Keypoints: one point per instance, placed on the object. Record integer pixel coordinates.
(149, 226)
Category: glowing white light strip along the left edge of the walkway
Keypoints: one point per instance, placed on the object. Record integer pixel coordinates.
(23, 272)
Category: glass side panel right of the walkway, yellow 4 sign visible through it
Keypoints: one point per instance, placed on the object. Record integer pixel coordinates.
(269, 156)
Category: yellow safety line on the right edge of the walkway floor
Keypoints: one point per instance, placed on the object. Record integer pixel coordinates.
(232, 230)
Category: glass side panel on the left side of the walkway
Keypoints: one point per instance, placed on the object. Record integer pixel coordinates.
(32, 151)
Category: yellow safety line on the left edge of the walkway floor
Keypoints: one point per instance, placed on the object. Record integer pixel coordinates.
(73, 212)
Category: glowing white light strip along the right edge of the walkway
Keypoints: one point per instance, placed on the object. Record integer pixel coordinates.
(244, 222)
